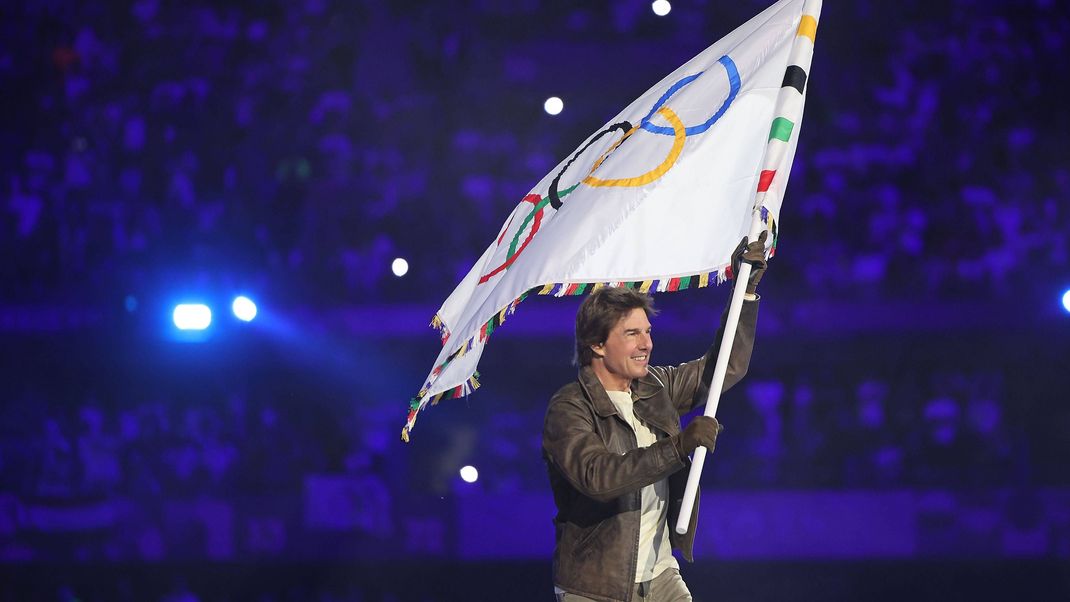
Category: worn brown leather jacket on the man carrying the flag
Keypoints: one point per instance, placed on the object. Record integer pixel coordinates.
(598, 472)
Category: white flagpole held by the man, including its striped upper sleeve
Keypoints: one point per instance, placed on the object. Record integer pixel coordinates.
(801, 56)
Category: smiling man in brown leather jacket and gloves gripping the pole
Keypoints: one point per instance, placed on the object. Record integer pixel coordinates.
(616, 453)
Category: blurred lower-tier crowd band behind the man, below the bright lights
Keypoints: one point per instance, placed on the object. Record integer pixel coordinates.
(804, 429)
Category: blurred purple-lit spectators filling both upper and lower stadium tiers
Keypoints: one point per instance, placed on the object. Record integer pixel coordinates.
(305, 145)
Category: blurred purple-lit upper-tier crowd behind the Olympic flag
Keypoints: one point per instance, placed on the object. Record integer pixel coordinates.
(314, 142)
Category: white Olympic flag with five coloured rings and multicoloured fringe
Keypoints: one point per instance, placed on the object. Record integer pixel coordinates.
(656, 200)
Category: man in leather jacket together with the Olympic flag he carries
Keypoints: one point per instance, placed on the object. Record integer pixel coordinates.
(653, 202)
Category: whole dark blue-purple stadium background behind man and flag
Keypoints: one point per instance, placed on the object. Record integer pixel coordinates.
(903, 434)
